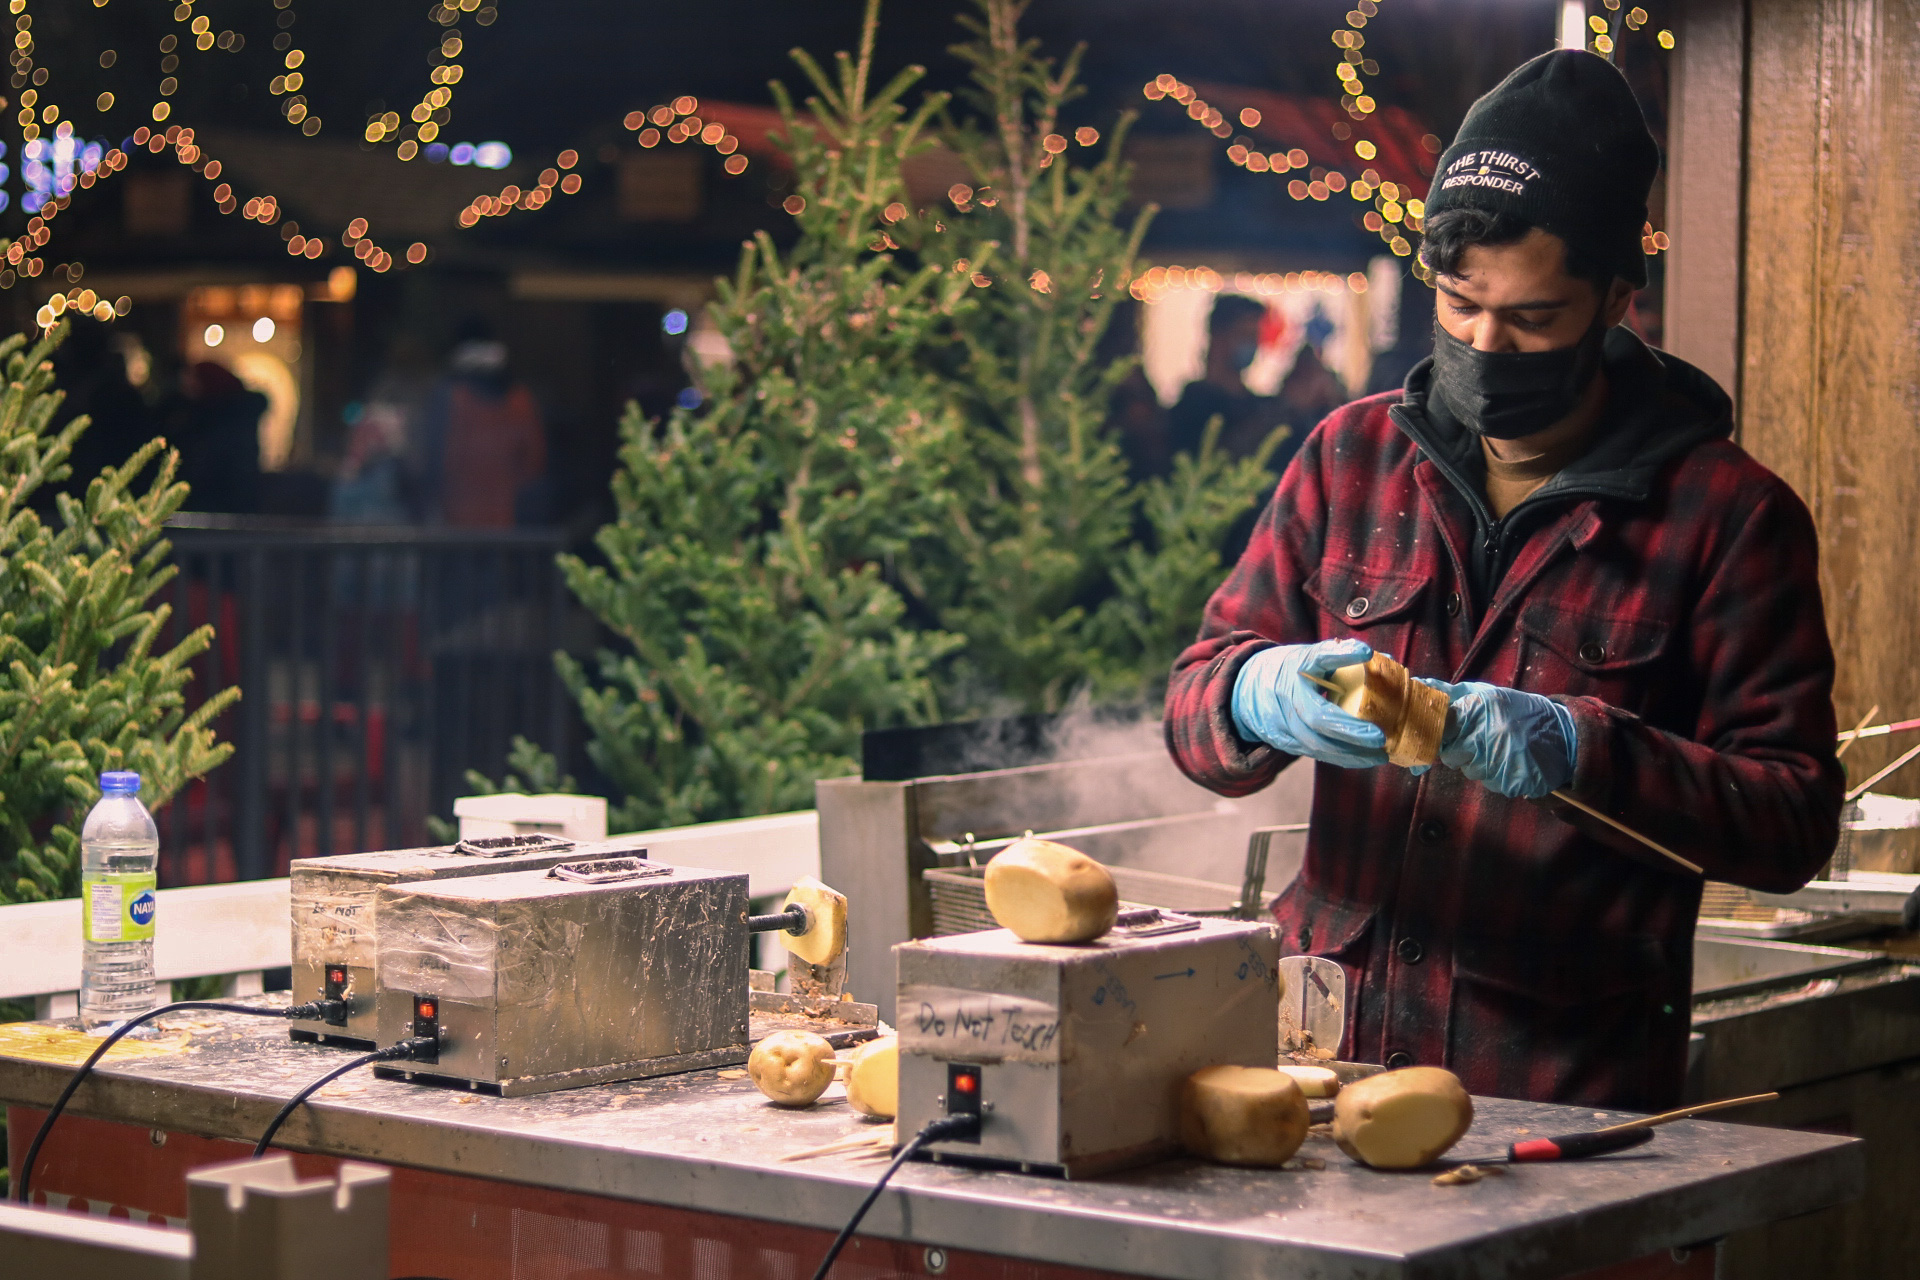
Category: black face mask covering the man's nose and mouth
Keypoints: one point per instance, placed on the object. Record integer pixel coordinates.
(1512, 394)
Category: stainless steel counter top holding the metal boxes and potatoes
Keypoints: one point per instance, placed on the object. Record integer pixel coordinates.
(713, 1145)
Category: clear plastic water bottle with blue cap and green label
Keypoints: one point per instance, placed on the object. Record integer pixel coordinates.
(120, 855)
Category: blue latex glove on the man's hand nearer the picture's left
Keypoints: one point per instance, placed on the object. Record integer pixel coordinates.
(1276, 705)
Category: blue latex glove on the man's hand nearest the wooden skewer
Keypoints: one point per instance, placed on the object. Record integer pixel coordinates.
(1510, 742)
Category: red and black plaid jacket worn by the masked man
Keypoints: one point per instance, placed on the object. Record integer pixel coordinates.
(1669, 598)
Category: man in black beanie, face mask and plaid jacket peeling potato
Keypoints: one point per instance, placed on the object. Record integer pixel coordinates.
(1552, 515)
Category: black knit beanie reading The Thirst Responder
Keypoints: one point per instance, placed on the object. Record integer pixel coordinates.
(1560, 145)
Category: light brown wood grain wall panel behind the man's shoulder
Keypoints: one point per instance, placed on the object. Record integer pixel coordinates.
(1831, 364)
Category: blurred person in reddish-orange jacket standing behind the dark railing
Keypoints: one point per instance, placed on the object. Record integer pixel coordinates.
(483, 440)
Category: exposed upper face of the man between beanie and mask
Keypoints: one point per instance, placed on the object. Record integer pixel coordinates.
(1520, 298)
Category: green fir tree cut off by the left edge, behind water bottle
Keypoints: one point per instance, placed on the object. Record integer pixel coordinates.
(82, 684)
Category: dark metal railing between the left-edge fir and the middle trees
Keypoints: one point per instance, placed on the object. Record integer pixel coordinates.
(377, 665)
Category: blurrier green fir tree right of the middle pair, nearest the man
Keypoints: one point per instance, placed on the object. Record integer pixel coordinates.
(1053, 582)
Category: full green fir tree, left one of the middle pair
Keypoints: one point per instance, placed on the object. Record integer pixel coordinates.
(746, 569)
